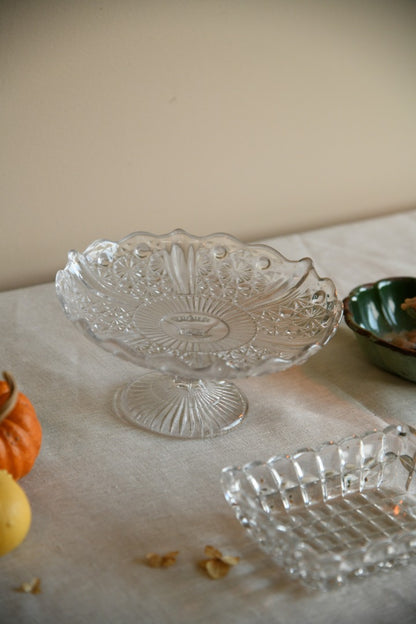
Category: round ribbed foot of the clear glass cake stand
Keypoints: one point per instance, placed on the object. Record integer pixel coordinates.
(181, 408)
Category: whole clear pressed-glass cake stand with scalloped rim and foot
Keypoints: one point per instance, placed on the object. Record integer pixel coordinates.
(199, 311)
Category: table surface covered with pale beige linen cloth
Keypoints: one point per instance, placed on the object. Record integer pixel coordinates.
(104, 494)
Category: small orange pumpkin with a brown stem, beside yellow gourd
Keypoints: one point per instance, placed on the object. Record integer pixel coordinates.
(20, 430)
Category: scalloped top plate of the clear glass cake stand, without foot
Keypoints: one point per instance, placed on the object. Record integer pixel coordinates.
(100, 291)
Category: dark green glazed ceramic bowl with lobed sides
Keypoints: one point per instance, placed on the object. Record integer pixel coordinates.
(374, 314)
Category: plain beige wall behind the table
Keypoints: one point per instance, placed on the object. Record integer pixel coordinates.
(253, 117)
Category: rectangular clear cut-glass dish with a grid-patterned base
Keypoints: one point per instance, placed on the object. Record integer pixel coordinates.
(344, 510)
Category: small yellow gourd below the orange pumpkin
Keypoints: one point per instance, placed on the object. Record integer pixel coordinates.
(15, 513)
